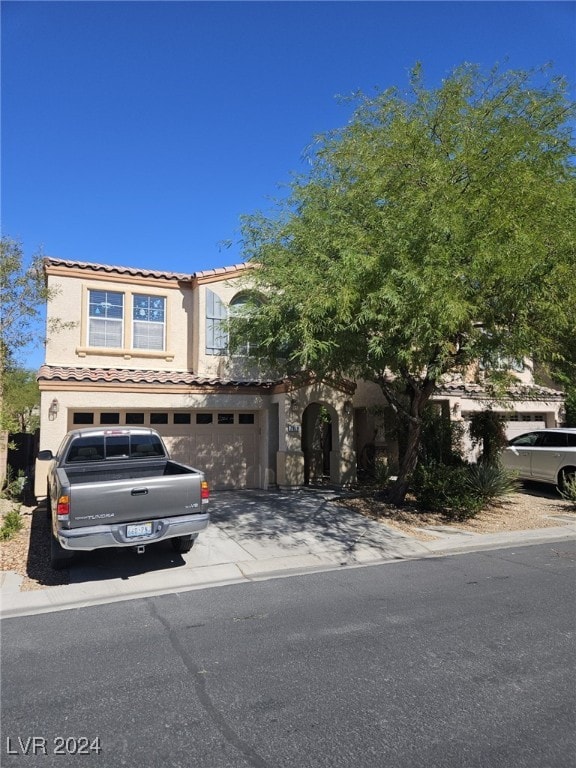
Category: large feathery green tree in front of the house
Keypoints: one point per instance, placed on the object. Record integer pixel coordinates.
(436, 228)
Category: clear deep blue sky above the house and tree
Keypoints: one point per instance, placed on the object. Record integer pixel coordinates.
(137, 133)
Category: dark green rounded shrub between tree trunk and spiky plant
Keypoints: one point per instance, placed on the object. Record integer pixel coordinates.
(445, 488)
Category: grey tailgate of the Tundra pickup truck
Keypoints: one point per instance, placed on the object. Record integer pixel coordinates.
(124, 501)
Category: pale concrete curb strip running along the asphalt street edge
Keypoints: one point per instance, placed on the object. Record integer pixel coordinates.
(15, 603)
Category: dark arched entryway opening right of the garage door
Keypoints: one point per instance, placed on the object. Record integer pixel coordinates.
(319, 437)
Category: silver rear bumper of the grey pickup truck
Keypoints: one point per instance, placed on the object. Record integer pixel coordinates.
(100, 536)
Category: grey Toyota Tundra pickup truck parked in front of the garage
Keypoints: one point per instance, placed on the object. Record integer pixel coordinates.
(119, 488)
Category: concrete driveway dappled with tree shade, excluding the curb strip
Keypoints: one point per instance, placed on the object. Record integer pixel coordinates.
(257, 533)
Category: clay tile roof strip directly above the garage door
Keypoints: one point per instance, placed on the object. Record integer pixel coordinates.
(138, 376)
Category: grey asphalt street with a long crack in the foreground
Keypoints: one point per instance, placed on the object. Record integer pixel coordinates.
(464, 661)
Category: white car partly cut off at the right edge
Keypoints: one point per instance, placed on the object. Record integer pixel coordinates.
(545, 455)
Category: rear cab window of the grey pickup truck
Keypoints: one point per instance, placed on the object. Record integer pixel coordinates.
(110, 447)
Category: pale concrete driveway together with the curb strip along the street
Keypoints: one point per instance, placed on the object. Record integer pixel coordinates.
(252, 535)
